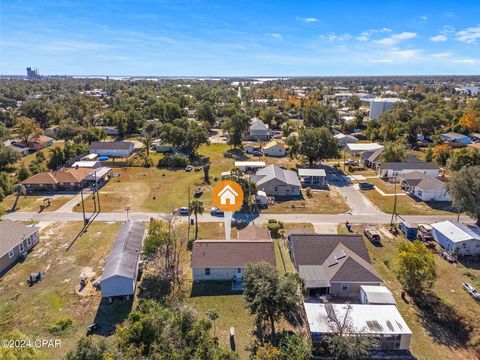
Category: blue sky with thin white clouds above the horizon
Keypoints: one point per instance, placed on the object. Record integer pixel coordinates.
(229, 38)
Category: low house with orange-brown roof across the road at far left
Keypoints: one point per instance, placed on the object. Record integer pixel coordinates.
(72, 179)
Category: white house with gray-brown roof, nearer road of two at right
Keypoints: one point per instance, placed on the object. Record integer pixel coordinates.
(424, 187)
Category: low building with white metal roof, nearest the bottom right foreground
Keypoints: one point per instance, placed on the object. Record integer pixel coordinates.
(383, 322)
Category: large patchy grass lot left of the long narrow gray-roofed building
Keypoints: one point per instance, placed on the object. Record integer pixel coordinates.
(31, 310)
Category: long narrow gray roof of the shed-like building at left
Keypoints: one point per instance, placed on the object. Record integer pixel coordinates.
(124, 256)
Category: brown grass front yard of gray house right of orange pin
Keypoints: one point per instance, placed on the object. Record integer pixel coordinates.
(322, 202)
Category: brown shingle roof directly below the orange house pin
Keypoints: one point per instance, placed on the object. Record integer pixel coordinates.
(233, 253)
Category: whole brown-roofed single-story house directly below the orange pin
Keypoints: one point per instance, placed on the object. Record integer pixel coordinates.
(223, 260)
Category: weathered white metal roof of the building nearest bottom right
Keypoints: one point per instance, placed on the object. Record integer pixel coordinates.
(372, 319)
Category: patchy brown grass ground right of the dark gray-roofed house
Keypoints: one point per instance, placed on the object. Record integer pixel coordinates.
(429, 341)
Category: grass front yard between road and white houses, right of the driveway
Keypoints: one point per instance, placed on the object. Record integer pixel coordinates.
(406, 205)
